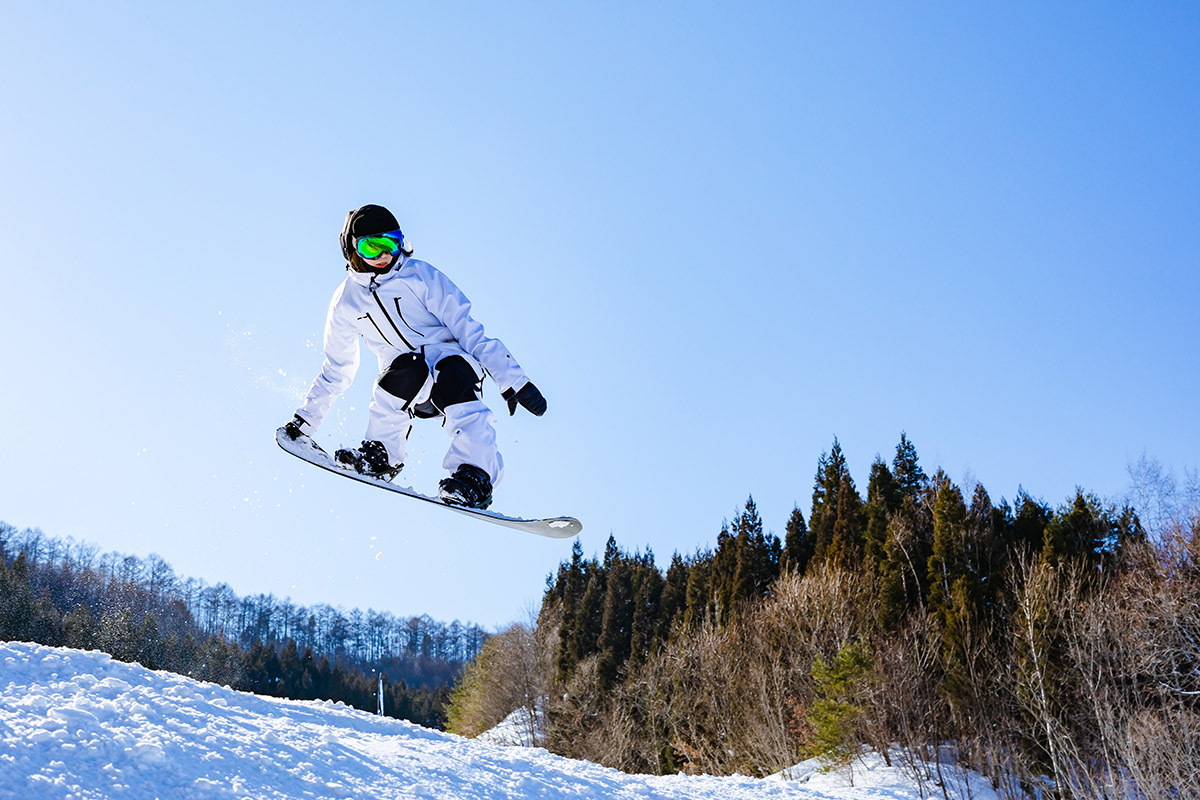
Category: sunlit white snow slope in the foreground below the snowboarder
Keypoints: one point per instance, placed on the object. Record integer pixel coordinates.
(80, 725)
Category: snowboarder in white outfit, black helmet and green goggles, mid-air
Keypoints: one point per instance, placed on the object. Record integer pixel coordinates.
(433, 362)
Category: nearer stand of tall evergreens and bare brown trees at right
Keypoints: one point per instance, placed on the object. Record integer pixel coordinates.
(1049, 648)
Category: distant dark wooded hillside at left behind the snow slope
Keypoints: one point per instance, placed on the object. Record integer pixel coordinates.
(64, 593)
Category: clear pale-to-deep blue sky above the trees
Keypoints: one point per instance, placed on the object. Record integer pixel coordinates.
(716, 236)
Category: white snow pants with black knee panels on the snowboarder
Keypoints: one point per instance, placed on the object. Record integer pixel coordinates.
(471, 426)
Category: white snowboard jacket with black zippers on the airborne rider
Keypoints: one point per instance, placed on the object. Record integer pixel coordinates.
(411, 308)
